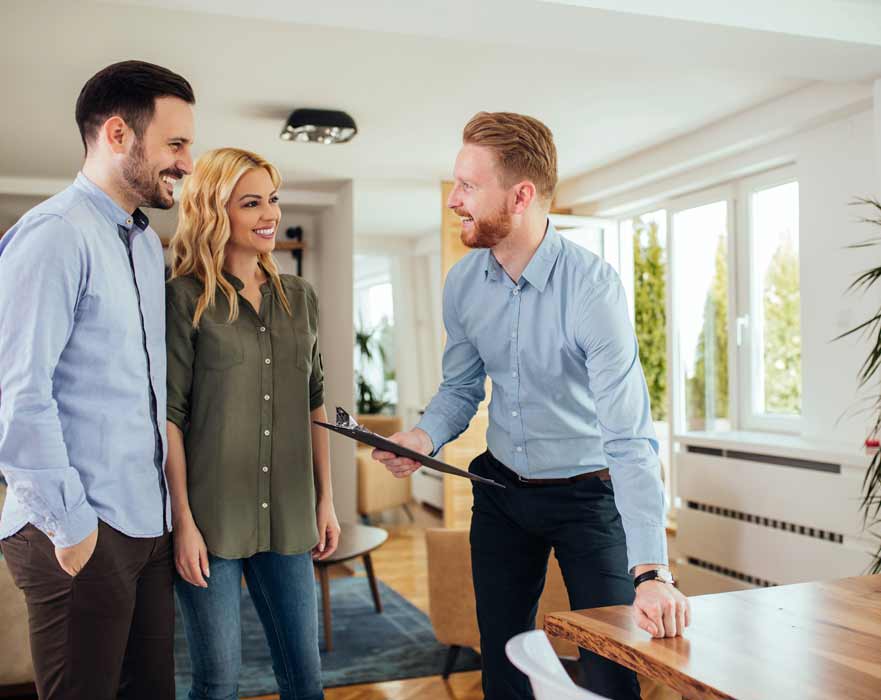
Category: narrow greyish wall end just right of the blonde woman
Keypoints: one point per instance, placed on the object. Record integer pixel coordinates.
(331, 272)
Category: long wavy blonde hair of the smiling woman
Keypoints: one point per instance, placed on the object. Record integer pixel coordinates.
(203, 230)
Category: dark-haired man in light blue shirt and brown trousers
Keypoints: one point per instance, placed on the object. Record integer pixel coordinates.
(85, 526)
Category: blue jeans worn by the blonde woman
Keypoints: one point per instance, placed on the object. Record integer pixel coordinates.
(283, 590)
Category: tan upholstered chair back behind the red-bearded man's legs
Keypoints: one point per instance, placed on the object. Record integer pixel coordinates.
(451, 603)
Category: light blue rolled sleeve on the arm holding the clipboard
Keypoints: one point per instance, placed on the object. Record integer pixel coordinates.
(464, 383)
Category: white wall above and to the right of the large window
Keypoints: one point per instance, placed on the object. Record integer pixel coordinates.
(835, 162)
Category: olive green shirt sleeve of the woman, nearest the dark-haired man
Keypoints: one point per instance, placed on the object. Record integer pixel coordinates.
(180, 347)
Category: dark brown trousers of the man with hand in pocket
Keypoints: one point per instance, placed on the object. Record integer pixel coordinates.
(106, 633)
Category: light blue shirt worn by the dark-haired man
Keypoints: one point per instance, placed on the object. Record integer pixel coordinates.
(82, 369)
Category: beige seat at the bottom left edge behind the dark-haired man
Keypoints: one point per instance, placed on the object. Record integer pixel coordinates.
(15, 653)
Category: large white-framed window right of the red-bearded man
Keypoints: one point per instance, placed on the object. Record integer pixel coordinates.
(732, 311)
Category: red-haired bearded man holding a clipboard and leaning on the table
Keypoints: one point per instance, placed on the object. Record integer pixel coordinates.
(570, 427)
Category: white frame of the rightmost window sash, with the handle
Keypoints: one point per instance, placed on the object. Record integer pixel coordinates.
(750, 388)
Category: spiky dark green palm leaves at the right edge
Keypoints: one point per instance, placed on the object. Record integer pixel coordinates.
(871, 493)
